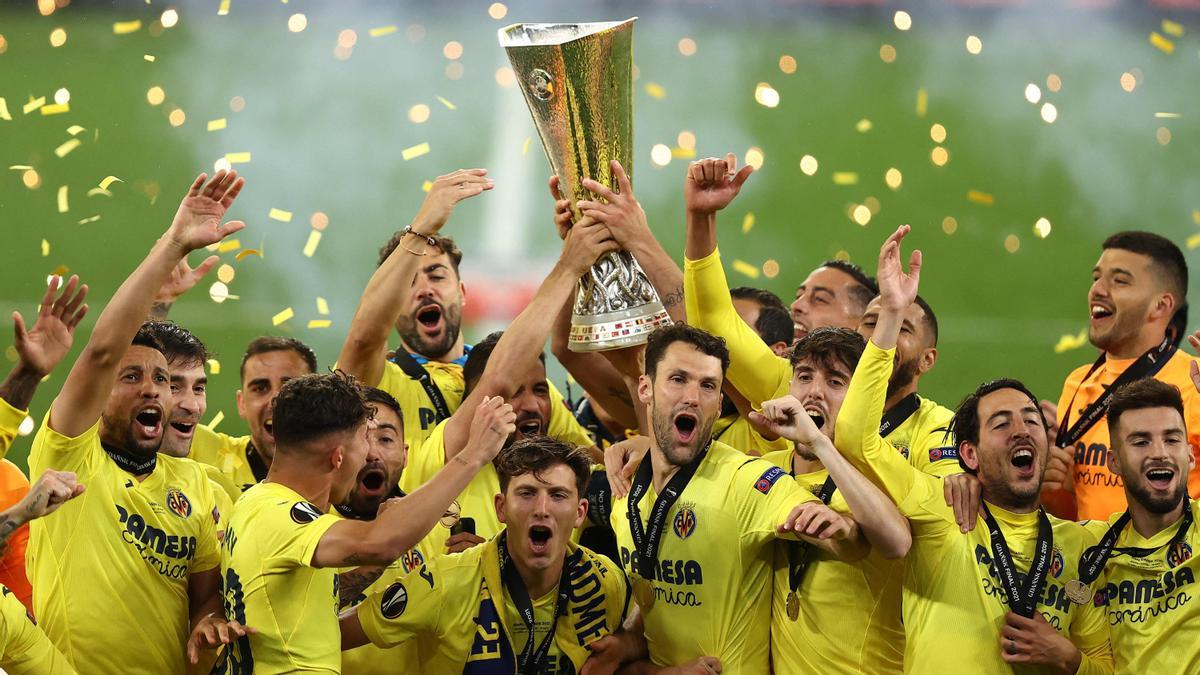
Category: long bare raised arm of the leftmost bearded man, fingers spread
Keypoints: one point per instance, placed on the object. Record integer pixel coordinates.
(197, 225)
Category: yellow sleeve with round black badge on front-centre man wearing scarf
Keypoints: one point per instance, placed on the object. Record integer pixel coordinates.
(410, 607)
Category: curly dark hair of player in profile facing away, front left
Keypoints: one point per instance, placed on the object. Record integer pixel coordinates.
(314, 405)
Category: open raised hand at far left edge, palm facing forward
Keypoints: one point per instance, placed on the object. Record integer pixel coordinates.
(41, 348)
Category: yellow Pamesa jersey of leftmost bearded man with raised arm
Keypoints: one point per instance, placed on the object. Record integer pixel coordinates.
(119, 555)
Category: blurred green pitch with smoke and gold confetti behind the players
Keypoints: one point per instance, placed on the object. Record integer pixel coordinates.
(328, 114)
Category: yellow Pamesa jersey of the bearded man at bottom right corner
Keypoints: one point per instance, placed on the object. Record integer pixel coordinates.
(1154, 619)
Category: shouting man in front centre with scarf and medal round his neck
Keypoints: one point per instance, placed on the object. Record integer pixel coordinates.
(526, 602)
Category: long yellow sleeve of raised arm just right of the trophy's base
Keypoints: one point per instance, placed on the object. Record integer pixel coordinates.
(754, 369)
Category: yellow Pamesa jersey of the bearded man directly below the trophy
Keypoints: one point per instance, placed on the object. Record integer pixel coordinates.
(715, 570)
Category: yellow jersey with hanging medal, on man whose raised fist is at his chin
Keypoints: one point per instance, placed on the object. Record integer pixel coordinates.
(850, 612)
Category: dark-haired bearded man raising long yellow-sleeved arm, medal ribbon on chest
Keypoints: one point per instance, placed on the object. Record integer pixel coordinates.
(1000, 590)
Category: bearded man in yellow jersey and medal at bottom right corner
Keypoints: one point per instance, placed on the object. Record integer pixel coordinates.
(1144, 570)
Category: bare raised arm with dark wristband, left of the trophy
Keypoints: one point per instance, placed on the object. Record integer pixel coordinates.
(365, 350)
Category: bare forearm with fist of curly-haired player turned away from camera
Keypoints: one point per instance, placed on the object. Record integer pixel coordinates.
(404, 522)
